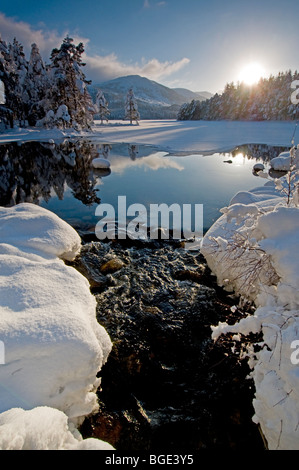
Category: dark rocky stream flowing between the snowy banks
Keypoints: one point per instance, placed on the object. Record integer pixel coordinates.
(166, 386)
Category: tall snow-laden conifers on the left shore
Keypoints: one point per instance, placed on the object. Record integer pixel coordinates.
(52, 95)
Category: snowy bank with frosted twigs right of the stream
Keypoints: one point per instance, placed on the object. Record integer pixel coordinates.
(253, 251)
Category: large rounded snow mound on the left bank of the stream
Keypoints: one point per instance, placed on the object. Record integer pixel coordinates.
(54, 346)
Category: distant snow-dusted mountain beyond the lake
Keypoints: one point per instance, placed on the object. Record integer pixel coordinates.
(155, 101)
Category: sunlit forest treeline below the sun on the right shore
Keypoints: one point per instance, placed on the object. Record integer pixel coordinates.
(269, 99)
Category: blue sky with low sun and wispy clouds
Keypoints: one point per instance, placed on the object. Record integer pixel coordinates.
(196, 44)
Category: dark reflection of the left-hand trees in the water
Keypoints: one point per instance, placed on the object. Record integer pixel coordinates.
(34, 171)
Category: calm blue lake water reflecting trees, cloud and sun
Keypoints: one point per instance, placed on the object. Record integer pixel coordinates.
(60, 177)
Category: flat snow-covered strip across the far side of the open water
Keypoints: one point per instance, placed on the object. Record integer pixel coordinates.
(175, 136)
